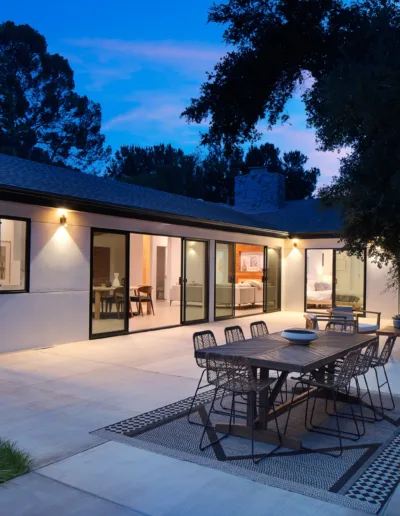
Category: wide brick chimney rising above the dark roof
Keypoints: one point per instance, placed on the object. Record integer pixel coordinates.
(259, 191)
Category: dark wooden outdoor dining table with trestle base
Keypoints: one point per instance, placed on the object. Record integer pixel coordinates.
(273, 352)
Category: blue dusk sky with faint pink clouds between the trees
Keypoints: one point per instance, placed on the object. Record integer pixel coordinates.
(143, 60)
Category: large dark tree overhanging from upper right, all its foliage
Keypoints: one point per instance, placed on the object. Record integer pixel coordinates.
(351, 51)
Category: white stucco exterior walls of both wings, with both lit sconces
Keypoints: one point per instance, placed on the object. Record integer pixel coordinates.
(56, 310)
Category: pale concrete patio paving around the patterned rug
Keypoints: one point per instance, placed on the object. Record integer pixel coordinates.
(52, 398)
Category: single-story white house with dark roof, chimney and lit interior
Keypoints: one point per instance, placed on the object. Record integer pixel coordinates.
(76, 250)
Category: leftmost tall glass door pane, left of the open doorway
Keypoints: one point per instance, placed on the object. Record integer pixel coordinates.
(109, 271)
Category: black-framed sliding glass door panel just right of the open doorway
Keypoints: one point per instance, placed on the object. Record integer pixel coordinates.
(194, 281)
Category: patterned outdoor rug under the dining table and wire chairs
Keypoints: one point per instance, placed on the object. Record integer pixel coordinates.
(362, 478)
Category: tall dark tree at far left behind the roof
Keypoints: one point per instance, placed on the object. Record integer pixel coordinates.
(41, 116)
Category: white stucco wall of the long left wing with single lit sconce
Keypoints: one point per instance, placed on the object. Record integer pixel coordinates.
(56, 310)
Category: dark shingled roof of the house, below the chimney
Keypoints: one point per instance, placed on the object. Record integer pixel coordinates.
(25, 176)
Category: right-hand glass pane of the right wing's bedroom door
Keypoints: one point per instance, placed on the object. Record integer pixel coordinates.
(349, 281)
